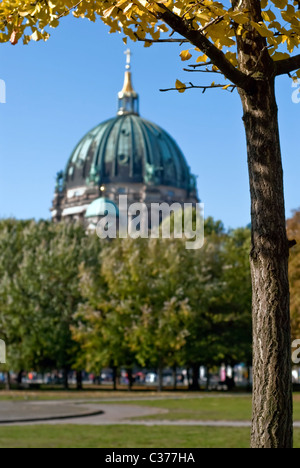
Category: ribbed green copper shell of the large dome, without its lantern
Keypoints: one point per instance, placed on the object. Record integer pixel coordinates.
(127, 149)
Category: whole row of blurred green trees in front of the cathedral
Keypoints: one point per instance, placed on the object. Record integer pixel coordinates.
(70, 301)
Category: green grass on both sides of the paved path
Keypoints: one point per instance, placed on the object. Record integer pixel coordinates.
(211, 407)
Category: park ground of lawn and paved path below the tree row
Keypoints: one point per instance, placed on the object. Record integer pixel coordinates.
(144, 420)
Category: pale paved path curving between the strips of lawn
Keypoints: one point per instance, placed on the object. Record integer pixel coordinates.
(80, 412)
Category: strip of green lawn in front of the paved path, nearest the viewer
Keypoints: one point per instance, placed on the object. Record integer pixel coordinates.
(125, 437)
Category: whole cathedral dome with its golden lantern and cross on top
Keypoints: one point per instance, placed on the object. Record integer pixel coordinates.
(123, 155)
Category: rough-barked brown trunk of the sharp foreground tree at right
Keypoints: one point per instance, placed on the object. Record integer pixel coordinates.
(272, 378)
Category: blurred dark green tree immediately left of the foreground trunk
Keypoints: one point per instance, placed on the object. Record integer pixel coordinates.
(220, 300)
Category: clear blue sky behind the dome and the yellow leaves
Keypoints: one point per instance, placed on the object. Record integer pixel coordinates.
(58, 90)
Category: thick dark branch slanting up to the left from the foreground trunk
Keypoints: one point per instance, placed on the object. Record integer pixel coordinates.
(199, 40)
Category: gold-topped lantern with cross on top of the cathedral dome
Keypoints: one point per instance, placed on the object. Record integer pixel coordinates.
(128, 99)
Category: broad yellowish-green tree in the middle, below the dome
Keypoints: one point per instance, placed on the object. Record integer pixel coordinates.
(134, 310)
